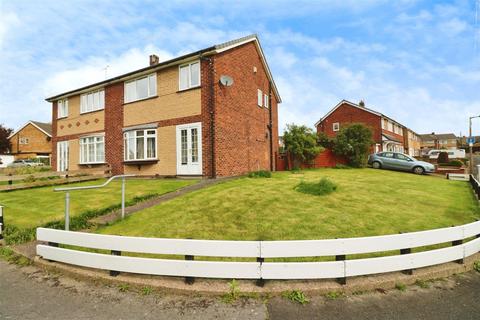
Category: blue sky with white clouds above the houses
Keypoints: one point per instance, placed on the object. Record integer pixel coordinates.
(415, 61)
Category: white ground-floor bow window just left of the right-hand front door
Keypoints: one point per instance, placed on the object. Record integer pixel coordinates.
(140, 145)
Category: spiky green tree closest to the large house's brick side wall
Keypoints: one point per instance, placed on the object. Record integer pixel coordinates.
(301, 143)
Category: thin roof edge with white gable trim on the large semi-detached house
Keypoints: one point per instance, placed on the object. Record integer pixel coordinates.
(175, 61)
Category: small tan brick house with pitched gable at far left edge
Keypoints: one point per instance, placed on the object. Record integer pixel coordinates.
(33, 140)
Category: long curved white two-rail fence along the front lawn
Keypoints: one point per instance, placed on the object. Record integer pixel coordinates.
(260, 250)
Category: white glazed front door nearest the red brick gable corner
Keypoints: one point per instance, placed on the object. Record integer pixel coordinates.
(189, 149)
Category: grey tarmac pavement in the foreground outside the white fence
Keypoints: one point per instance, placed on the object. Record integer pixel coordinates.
(29, 293)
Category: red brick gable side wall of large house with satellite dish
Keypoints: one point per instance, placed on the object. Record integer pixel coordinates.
(242, 143)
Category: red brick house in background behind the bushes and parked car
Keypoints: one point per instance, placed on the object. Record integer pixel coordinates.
(388, 134)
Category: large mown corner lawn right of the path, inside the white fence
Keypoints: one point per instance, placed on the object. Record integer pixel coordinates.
(367, 202)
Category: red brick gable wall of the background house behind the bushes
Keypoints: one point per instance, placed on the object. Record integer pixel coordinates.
(346, 114)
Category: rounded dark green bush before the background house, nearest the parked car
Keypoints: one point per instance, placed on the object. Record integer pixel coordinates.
(353, 142)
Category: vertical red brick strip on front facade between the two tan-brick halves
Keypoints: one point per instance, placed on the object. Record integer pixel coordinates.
(113, 127)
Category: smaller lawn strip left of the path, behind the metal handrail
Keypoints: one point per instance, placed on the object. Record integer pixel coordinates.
(38, 206)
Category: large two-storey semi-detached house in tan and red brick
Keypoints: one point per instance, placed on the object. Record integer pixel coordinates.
(208, 113)
